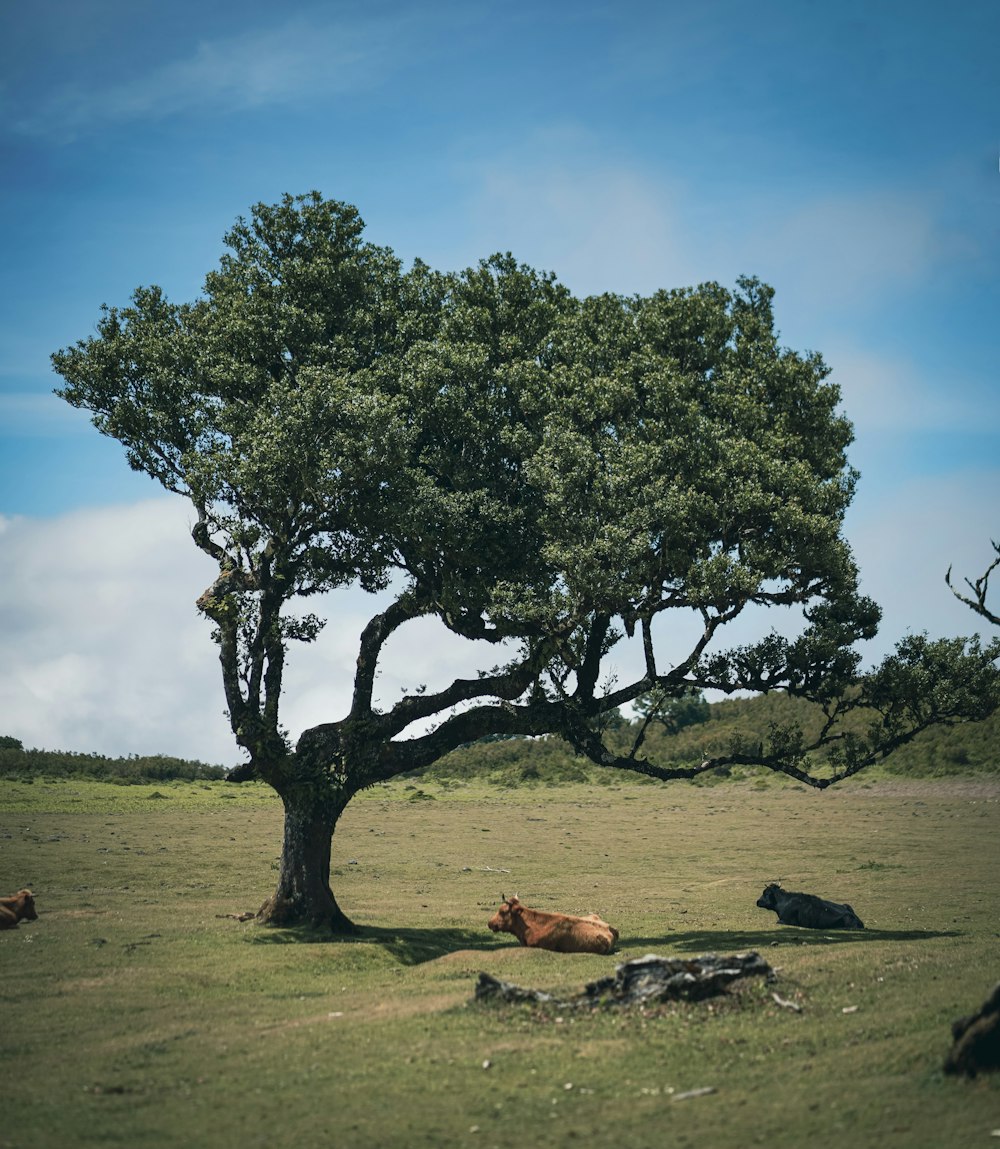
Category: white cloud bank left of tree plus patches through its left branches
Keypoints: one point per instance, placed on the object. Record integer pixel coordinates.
(103, 649)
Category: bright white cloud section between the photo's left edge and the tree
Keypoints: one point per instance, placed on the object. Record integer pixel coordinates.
(101, 643)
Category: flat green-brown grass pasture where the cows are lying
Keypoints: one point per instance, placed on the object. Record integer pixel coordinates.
(136, 1014)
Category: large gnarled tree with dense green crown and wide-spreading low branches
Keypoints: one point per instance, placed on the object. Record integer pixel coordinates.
(543, 474)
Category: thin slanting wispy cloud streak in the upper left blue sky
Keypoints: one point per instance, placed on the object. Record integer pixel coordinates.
(281, 66)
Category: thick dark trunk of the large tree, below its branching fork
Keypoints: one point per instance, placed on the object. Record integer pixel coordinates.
(304, 896)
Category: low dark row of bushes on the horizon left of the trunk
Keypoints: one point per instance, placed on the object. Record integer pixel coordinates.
(18, 764)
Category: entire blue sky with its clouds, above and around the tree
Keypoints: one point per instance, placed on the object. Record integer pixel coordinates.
(847, 155)
